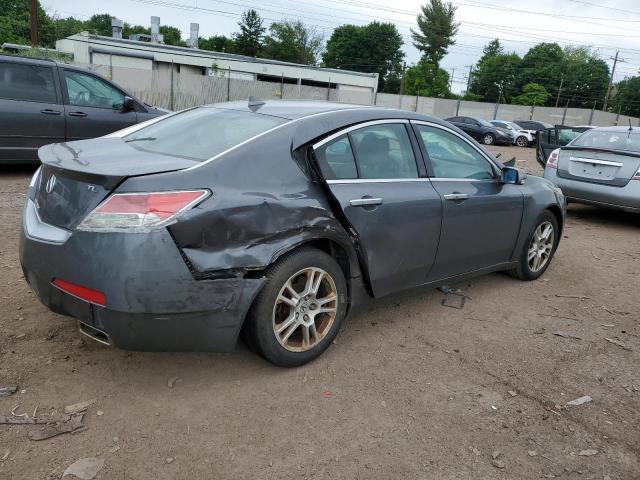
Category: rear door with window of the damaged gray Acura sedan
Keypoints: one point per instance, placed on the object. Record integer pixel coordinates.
(376, 173)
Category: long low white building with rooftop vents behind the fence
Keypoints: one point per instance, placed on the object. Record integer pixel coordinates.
(119, 52)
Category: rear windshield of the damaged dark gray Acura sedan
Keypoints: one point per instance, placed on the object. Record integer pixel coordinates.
(201, 133)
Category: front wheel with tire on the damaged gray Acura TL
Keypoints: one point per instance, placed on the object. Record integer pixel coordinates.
(539, 248)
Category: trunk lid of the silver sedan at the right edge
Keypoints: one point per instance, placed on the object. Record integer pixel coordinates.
(596, 165)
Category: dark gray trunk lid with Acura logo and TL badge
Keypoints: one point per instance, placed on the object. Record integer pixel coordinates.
(76, 176)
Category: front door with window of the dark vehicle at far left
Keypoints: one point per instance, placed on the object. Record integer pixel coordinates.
(93, 107)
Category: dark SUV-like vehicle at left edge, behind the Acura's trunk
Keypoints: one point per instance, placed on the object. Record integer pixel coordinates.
(42, 101)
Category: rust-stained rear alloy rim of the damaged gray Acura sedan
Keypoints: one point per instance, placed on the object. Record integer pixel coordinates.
(305, 309)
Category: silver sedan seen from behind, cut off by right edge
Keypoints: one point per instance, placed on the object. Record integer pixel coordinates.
(600, 167)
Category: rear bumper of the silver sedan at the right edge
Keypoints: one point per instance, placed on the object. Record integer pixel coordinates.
(624, 198)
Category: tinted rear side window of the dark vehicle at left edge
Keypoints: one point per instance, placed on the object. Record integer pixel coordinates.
(31, 83)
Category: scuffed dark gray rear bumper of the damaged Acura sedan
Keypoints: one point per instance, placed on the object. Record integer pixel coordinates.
(153, 301)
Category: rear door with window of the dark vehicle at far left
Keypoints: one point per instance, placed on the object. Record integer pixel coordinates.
(31, 113)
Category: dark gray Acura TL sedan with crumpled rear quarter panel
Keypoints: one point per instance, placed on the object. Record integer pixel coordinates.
(271, 220)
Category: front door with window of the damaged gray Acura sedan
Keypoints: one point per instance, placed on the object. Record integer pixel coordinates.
(481, 216)
